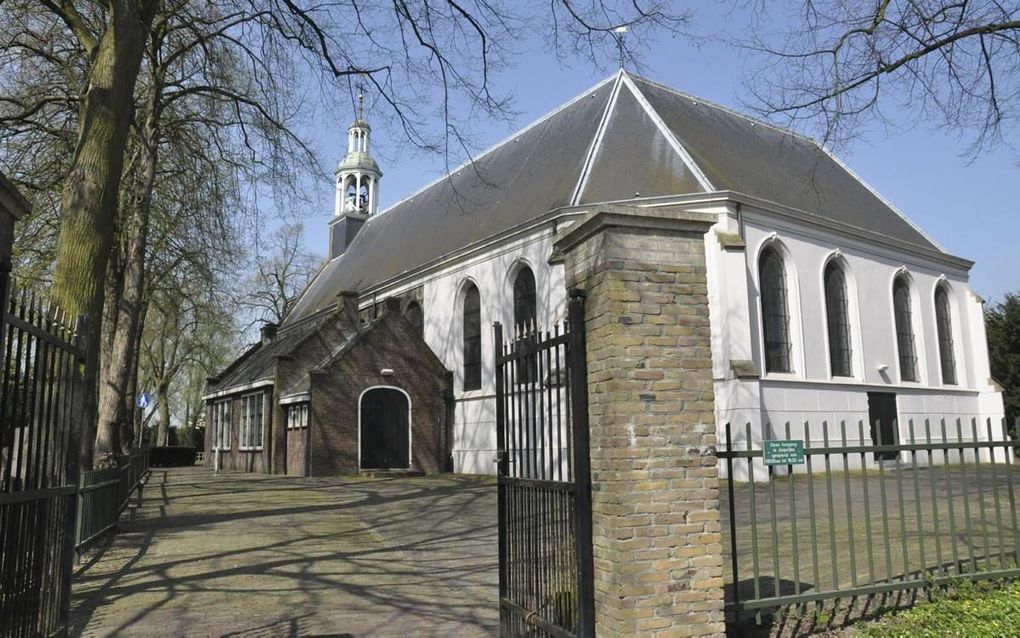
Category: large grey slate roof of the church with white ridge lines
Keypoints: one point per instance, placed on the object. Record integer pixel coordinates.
(539, 170)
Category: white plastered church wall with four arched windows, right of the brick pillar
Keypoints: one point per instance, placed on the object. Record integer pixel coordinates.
(810, 394)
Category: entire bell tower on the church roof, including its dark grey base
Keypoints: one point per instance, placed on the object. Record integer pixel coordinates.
(358, 179)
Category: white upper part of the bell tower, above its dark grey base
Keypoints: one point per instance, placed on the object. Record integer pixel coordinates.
(359, 175)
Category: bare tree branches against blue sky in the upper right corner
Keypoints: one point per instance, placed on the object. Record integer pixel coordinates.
(948, 63)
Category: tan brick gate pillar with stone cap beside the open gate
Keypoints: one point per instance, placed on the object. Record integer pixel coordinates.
(657, 534)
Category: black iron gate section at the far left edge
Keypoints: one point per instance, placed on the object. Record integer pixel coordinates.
(40, 406)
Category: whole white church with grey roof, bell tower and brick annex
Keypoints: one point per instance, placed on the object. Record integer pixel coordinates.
(827, 304)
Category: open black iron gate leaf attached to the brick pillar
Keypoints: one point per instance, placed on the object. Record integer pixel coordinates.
(545, 483)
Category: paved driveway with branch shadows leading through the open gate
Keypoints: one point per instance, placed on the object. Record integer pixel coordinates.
(254, 556)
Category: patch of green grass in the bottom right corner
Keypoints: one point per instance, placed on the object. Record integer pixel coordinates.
(971, 610)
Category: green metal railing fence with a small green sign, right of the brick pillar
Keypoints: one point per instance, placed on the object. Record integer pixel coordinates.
(852, 518)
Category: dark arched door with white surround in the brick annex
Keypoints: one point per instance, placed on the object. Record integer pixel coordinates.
(386, 434)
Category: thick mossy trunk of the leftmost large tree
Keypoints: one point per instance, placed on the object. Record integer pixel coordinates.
(90, 194)
